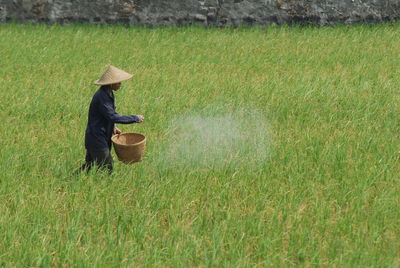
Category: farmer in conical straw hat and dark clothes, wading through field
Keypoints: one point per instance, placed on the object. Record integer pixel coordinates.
(102, 119)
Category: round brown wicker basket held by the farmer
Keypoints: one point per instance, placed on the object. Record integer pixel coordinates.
(129, 147)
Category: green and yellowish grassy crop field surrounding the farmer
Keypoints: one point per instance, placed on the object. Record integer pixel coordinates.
(325, 193)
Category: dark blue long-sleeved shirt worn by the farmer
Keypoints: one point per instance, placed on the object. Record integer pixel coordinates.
(101, 119)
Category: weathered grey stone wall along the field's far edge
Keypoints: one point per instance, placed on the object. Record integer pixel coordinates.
(204, 12)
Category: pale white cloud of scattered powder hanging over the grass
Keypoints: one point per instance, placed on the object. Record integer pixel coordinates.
(237, 138)
